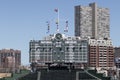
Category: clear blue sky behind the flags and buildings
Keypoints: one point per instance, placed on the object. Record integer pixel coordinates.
(23, 20)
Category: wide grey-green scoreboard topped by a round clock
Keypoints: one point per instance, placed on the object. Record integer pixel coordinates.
(59, 48)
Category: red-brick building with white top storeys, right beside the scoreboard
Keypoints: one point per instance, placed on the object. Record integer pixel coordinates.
(101, 54)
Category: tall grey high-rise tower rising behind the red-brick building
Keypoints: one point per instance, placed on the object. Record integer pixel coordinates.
(92, 21)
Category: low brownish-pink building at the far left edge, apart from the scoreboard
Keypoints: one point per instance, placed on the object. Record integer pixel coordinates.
(10, 59)
